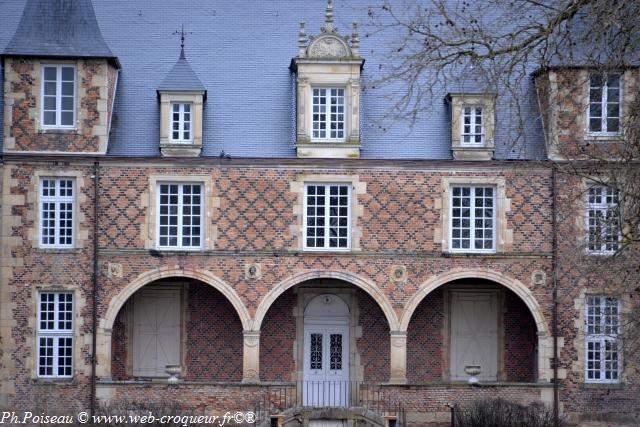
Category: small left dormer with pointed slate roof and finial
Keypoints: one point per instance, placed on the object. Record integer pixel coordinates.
(181, 95)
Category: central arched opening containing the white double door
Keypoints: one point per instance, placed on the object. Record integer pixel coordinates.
(286, 350)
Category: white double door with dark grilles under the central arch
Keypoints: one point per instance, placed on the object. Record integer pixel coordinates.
(326, 365)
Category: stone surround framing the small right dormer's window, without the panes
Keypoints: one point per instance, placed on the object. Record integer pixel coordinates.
(469, 152)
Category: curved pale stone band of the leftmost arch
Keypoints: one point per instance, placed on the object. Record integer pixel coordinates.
(148, 277)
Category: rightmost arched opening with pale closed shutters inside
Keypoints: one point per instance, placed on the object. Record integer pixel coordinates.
(472, 322)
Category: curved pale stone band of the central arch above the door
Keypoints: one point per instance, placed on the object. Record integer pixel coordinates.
(362, 283)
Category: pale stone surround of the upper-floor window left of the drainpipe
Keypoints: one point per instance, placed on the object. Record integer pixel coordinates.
(81, 232)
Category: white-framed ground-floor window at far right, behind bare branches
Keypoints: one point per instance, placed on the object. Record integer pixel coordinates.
(603, 361)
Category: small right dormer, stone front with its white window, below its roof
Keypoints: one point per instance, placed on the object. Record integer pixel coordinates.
(472, 125)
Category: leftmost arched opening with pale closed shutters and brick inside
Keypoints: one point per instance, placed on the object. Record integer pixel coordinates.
(177, 321)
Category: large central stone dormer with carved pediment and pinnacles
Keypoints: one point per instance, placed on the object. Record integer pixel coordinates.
(328, 92)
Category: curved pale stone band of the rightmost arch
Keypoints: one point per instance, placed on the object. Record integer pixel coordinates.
(510, 283)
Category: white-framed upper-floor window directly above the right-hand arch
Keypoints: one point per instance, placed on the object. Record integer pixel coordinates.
(472, 216)
